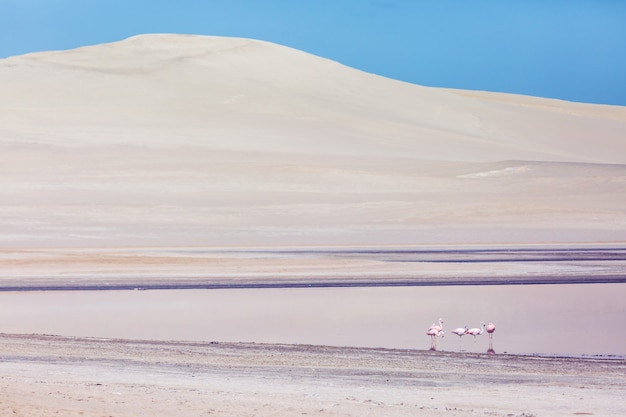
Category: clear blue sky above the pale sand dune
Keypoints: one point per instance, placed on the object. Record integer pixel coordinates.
(568, 49)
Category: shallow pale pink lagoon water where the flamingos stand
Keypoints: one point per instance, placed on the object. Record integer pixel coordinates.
(582, 319)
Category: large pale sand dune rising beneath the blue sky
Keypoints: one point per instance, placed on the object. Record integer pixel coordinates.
(189, 140)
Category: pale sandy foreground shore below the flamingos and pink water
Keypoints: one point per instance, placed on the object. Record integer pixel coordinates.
(50, 375)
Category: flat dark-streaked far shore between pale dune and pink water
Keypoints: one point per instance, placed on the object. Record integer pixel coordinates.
(212, 268)
